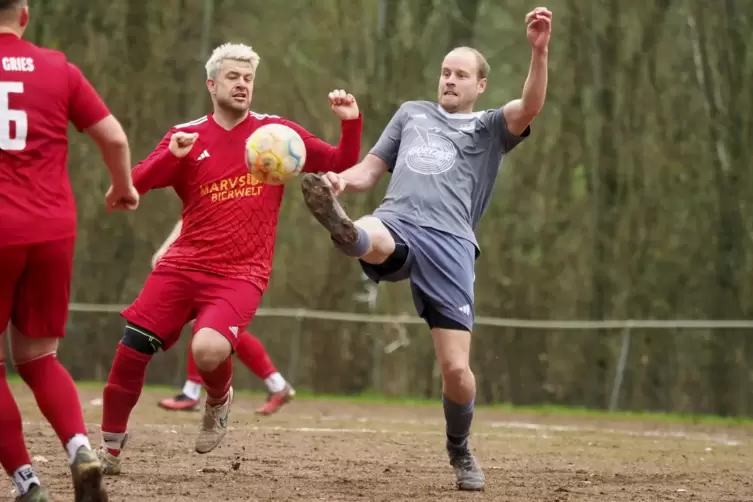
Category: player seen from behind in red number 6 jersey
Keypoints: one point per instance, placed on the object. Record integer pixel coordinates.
(40, 92)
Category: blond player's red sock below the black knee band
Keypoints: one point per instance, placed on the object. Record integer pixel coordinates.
(123, 388)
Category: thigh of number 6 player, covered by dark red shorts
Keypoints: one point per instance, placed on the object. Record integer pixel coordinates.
(43, 292)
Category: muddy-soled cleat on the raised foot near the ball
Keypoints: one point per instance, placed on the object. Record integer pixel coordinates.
(325, 208)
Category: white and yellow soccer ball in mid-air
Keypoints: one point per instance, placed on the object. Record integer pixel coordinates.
(275, 154)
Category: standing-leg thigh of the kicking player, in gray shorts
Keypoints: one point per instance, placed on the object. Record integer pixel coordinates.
(442, 280)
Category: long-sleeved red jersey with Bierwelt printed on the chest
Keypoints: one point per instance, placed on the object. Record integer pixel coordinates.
(230, 218)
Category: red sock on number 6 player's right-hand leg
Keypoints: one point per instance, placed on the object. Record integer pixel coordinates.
(56, 395)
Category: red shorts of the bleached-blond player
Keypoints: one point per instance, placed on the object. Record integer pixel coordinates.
(172, 297)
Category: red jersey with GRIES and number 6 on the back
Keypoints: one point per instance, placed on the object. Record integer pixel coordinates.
(40, 92)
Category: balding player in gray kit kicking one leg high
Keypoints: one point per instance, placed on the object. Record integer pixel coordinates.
(444, 159)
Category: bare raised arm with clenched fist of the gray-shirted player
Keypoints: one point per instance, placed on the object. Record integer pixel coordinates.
(519, 113)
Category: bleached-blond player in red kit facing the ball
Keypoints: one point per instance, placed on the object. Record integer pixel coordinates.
(218, 268)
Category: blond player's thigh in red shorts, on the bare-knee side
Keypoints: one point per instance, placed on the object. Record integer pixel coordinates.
(226, 306)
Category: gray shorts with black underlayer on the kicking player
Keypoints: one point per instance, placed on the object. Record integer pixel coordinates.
(440, 267)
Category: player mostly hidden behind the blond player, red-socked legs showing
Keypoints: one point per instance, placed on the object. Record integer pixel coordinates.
(249, 350)
